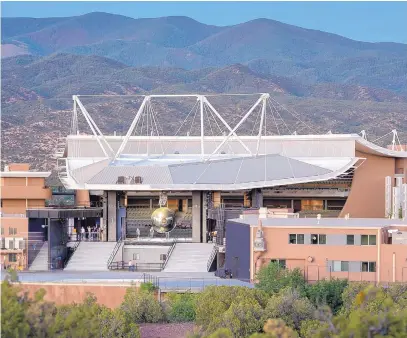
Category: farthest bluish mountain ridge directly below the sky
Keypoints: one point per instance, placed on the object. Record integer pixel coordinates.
(266, 46)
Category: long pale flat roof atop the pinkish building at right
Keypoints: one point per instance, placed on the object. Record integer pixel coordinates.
(374, 223)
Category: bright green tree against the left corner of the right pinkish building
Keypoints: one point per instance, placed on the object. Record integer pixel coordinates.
(272, 278)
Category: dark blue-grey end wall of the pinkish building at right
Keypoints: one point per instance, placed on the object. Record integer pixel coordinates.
(237, 256)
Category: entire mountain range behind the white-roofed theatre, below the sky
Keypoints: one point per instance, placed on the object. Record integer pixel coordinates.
(331, 81)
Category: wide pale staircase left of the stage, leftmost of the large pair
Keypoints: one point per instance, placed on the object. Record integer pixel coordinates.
(91, 256)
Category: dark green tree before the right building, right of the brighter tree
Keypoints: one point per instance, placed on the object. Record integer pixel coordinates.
(327, 292)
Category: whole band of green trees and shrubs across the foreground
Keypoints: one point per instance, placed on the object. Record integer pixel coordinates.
(281, 305)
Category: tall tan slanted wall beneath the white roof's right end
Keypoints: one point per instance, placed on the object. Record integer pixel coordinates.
(367, 194)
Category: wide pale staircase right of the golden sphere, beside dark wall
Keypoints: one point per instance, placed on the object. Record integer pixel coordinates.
(189, 257)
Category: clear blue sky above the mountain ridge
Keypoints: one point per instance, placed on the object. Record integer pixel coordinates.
(365, 21)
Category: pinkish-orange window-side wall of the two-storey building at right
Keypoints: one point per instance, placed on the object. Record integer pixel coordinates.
(316, 260)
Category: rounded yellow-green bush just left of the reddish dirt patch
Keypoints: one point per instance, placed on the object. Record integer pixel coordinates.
(141, 307)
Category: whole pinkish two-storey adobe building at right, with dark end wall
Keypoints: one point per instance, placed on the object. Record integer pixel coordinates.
(360, 249)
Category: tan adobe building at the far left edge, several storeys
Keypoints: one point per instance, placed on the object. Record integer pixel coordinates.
(21, 189)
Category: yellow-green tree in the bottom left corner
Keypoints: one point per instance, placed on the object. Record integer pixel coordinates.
(13, 312)
